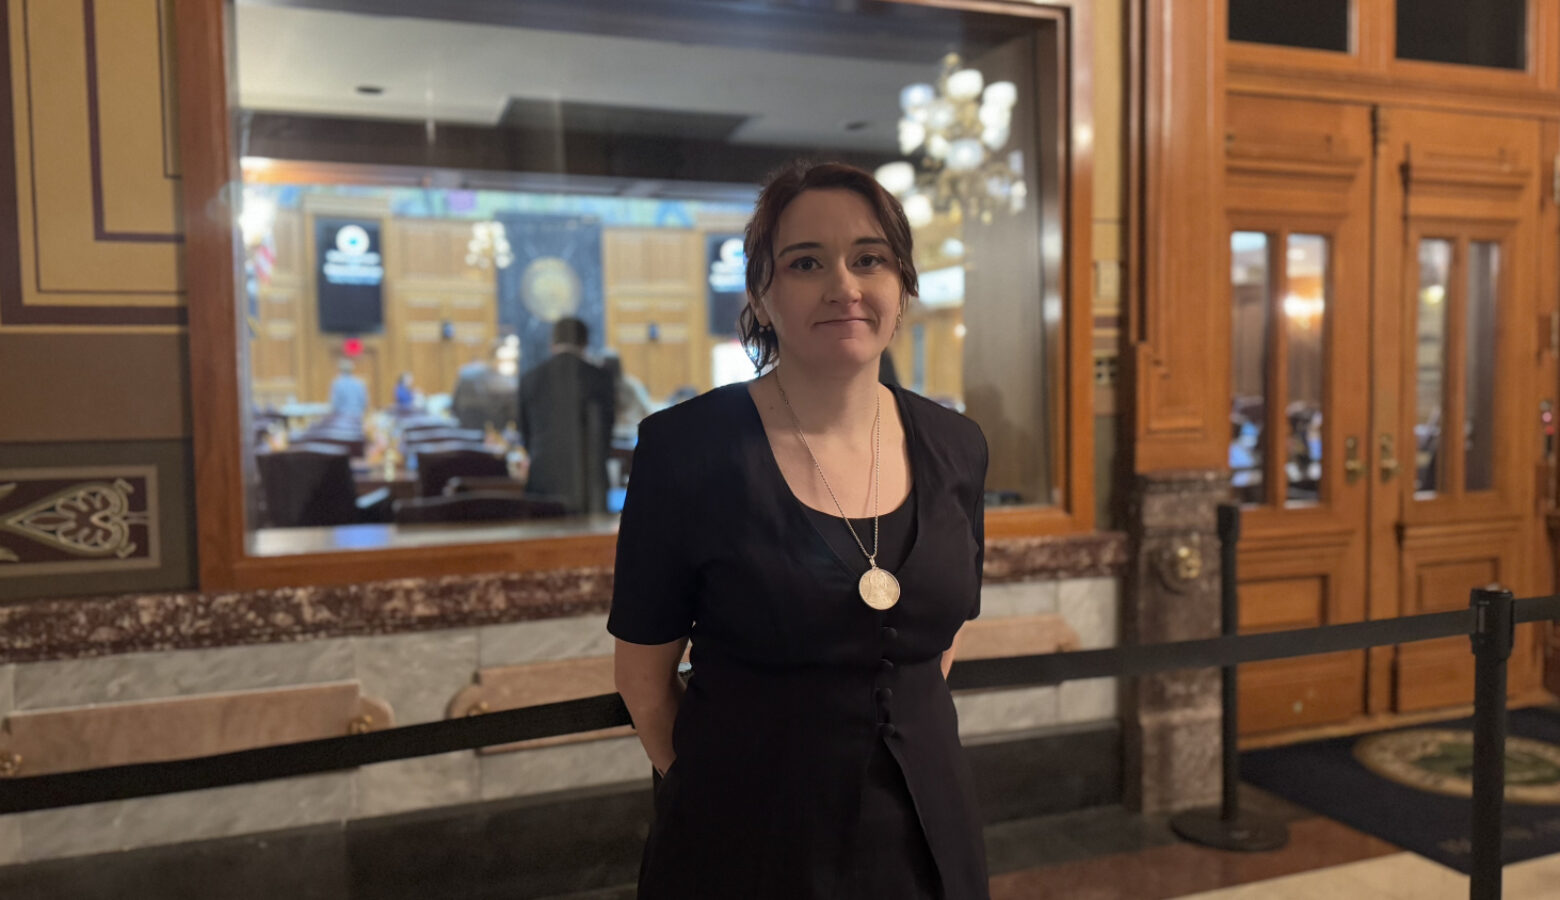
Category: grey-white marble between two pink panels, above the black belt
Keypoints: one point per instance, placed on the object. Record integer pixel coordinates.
(417, 673)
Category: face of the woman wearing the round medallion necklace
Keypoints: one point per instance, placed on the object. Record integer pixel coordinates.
(837, 296)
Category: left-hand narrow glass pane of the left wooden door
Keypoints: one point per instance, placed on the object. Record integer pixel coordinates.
(1252, 297)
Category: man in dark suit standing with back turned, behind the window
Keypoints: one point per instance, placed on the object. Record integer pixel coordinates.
(567, 408)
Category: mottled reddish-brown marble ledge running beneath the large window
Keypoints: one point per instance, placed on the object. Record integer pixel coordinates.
(62, 629)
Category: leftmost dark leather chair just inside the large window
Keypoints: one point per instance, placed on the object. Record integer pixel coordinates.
(313, 486)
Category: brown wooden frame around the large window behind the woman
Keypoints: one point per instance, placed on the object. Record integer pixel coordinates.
(213, 182)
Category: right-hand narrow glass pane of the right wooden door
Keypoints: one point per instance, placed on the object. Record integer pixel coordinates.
(1484, 282)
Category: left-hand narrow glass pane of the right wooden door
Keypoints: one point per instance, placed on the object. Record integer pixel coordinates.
(1436, 263)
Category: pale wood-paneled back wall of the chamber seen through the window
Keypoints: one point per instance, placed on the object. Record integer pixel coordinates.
(658, 313)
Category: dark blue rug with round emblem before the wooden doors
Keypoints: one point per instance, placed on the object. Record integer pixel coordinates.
(1414, 788)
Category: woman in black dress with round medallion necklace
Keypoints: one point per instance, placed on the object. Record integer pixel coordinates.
(815, 751)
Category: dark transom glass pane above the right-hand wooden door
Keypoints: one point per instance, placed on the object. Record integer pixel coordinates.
(1491, 34)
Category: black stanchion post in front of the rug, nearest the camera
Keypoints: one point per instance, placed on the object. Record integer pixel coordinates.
(1492, 647)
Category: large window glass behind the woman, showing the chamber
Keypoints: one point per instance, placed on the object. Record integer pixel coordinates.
(439, 200)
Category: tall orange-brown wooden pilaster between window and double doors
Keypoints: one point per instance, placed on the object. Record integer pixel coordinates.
(1180, 358)
